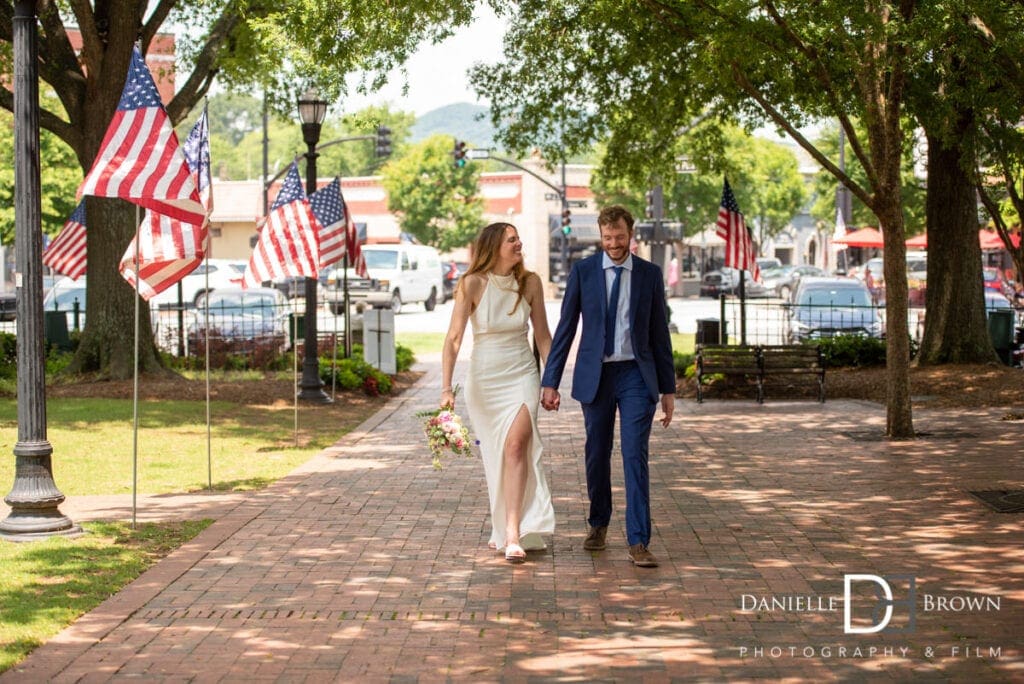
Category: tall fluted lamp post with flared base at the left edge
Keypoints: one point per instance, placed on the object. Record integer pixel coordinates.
(34, 500)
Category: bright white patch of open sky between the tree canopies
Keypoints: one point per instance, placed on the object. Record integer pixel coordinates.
(438, 73)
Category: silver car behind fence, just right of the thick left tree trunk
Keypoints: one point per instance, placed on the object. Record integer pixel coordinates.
(242, 318)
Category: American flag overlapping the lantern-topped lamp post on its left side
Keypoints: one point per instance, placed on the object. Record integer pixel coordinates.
(288, 244)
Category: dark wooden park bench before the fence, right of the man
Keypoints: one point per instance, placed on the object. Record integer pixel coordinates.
(760, 362)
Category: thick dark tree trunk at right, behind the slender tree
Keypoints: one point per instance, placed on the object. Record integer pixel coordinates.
(956, 328)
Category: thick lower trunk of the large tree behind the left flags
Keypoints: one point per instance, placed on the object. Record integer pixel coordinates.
(107, 346)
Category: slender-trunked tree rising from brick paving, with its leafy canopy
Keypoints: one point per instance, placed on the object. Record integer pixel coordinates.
(639, 75)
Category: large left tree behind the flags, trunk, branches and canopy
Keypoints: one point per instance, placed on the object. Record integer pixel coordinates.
(280, 50)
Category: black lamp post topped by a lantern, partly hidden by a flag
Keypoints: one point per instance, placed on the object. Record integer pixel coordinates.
(312, 113)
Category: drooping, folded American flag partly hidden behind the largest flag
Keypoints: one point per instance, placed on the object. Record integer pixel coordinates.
(169, 249)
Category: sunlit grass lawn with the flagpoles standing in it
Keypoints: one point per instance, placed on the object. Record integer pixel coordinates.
(93, 444)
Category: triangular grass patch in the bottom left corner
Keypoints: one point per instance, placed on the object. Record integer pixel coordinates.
(47, 585)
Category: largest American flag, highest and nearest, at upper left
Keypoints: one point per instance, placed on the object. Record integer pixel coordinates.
(141, 160)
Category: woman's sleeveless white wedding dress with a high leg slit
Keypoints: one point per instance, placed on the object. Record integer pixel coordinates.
(503, 378)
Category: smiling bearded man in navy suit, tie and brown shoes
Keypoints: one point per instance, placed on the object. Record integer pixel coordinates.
(624, 363)
